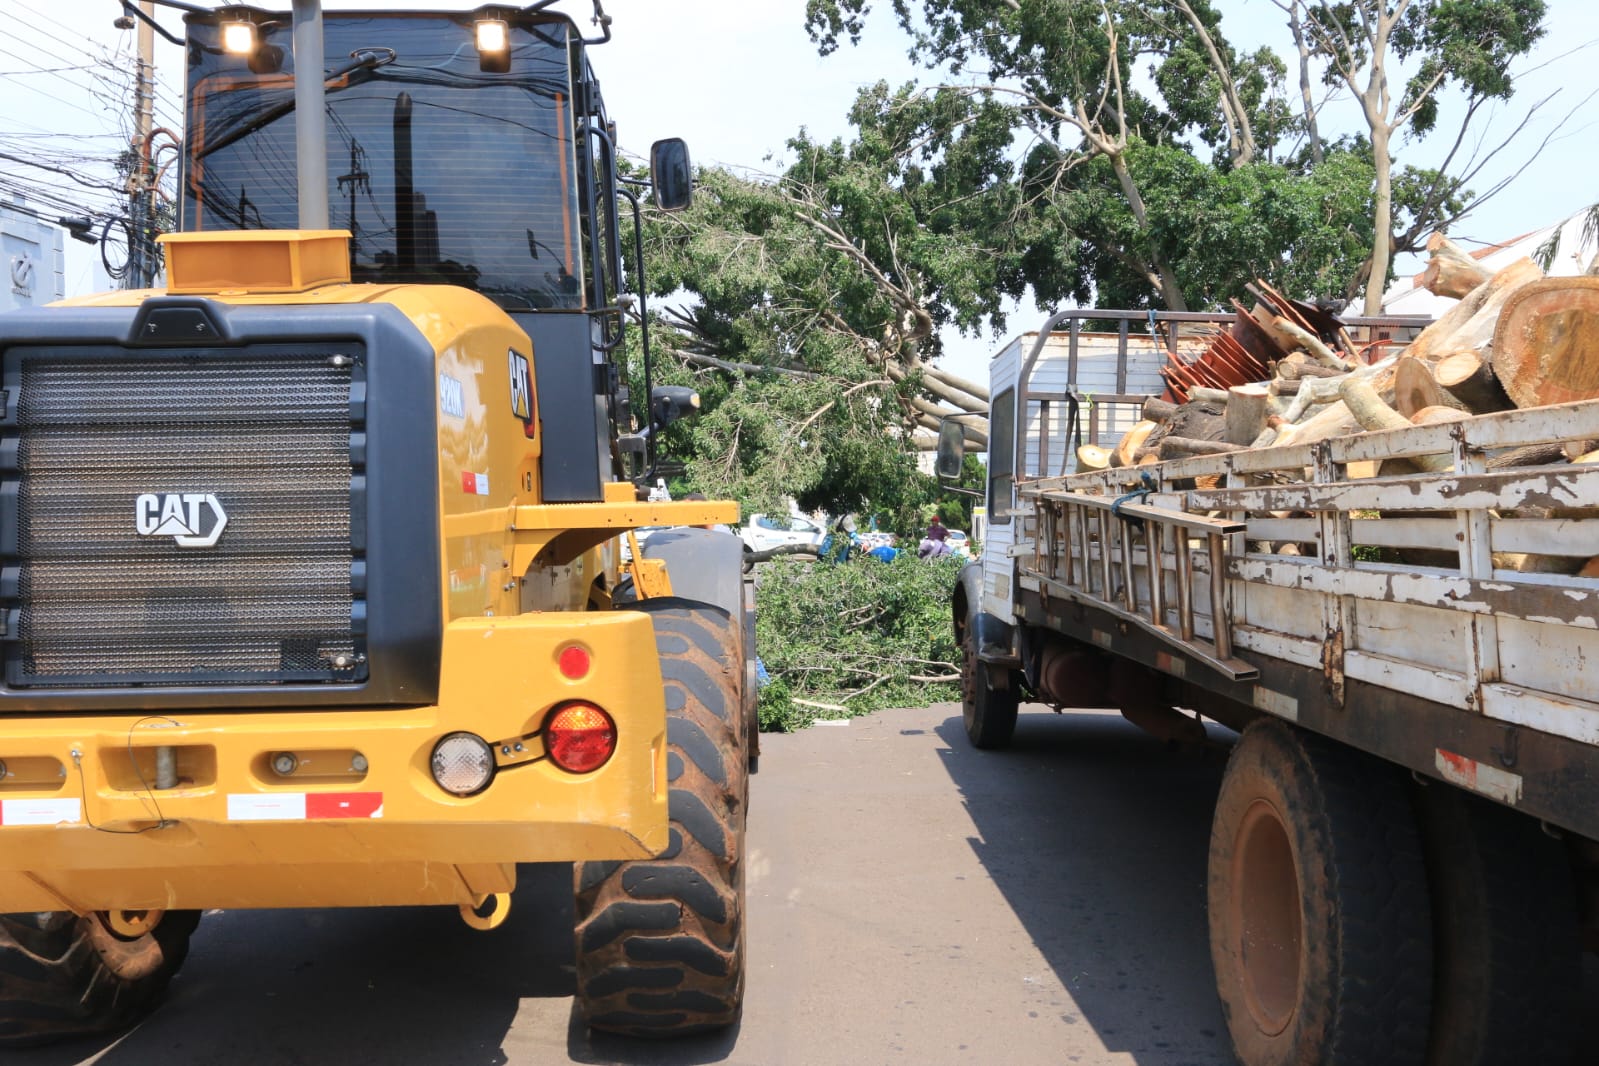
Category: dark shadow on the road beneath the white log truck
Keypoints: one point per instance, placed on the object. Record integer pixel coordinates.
(1098, 835)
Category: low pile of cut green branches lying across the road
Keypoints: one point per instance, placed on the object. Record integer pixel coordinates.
(863, 635)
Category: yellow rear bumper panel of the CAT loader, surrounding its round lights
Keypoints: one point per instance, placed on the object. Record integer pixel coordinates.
(500, 682)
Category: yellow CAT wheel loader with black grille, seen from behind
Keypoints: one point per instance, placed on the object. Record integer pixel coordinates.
(309, 584)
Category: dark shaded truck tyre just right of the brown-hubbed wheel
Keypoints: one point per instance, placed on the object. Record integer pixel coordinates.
(1505, 931)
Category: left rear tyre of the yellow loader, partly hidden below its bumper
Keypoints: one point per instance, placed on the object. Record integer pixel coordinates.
(63, 976)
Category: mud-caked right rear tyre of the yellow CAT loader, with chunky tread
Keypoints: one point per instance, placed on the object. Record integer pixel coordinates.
(661, 941)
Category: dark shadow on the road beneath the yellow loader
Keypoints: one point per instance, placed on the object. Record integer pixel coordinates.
(396, 985)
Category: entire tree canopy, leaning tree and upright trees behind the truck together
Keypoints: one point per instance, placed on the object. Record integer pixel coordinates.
(1111, 153)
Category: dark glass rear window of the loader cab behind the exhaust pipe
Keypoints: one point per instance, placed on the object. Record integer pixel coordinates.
(442, 172)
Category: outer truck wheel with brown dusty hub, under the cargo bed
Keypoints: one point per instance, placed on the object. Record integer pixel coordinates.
(1320, 923)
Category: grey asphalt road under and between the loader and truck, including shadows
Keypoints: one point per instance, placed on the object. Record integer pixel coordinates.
(912, 901)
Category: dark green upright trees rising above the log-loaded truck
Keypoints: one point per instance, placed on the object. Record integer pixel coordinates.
(1123, 172)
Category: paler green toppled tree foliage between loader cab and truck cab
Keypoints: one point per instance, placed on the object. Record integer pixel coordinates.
(827, 287)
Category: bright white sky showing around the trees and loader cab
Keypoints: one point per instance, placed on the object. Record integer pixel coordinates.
(738, 78)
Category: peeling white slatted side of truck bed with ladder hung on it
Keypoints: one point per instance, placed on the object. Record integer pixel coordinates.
(1434, 619)
